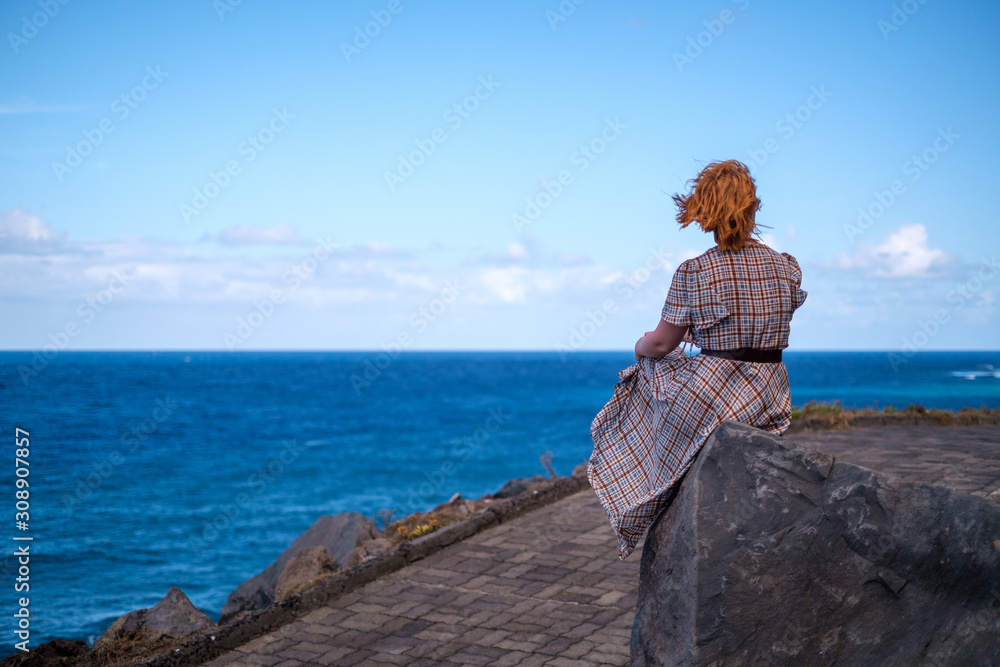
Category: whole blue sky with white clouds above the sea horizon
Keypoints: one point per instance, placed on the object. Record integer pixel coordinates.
(211, 175)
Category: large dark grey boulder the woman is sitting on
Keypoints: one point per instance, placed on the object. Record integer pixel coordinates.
(772, 554)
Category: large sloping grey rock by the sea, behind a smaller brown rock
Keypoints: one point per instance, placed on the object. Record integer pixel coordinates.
(341, 534)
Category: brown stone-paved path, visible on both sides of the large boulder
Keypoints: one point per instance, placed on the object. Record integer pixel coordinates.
(547, 587)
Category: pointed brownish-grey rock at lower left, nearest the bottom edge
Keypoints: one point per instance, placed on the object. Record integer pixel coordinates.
(142, 631)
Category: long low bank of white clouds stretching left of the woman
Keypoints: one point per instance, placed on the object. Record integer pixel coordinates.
(374, 273)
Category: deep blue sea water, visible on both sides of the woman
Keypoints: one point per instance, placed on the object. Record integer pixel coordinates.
(196, 469)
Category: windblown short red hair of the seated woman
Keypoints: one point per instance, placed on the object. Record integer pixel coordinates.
(723, 199)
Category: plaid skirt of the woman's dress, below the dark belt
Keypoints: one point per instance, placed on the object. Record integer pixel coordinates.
(662, 412)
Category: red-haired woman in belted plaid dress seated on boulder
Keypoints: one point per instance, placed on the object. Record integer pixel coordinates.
(735, 301)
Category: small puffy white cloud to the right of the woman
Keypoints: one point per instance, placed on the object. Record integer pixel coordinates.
(905, 253)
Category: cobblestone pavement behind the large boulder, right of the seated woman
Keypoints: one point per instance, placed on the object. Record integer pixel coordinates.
(965, 458)
